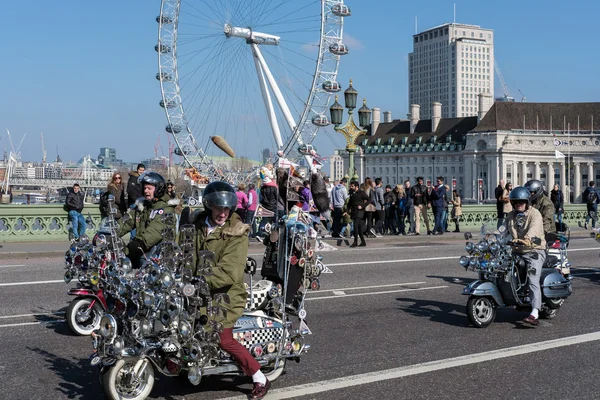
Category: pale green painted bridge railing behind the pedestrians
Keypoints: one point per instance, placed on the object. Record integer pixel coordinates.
(38, 223)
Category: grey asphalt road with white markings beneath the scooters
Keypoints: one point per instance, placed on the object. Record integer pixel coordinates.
(389, 323)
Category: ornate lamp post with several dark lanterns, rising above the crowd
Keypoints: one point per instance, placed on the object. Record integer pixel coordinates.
(350, 130)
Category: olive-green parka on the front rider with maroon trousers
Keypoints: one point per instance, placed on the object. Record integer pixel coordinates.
(230, 245)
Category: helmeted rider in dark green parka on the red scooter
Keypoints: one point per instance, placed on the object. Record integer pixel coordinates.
(146, 216)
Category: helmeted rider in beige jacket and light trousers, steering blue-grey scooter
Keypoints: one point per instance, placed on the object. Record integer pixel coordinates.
(525, 223)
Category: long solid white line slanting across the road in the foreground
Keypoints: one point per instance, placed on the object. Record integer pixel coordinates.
(423, 368)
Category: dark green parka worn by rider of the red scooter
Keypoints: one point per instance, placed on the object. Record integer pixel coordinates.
(147, 220)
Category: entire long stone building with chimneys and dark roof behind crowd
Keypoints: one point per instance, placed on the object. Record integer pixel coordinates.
(511, 141)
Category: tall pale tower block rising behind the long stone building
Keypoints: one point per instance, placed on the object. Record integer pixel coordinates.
(451, 64)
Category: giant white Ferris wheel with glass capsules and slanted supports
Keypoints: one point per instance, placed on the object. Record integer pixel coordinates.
(260, 74)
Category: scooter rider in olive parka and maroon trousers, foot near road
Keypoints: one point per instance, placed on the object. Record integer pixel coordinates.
(220, 230)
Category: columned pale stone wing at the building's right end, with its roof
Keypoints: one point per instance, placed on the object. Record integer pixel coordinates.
(518, 141)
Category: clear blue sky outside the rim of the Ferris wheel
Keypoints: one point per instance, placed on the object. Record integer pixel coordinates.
(83, 73)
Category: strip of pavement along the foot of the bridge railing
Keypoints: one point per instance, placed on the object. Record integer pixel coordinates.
(26, 250)
